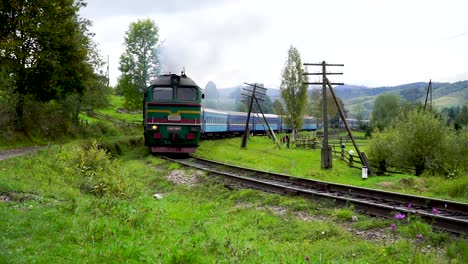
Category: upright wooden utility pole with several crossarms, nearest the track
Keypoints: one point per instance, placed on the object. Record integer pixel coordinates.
(326, 149)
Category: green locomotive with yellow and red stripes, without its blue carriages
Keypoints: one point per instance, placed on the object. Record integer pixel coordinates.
(171, 114)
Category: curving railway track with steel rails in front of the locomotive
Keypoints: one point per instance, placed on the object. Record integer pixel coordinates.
(444, 215)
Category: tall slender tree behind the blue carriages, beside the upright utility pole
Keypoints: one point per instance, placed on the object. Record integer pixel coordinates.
(293, 89)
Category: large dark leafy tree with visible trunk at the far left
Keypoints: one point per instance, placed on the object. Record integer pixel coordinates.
(44, 47)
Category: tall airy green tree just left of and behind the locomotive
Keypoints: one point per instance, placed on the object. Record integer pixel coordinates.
(139, 62)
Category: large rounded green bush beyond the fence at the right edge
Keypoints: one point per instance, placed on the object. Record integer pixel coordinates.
(421, 141)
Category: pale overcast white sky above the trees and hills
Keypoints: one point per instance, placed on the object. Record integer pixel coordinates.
(381, 43)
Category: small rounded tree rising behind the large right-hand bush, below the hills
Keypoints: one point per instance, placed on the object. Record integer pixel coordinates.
(386, 108)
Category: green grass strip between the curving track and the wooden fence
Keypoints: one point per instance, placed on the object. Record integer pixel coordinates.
(262, 153)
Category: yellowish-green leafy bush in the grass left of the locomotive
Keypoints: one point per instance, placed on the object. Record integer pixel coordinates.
(97, 172)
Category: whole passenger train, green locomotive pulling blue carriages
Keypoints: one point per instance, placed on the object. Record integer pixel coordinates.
(174, 120)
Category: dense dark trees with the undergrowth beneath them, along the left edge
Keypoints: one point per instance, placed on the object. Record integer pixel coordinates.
(49, 68)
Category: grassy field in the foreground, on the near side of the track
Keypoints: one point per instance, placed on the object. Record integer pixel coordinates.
(71, 204)
